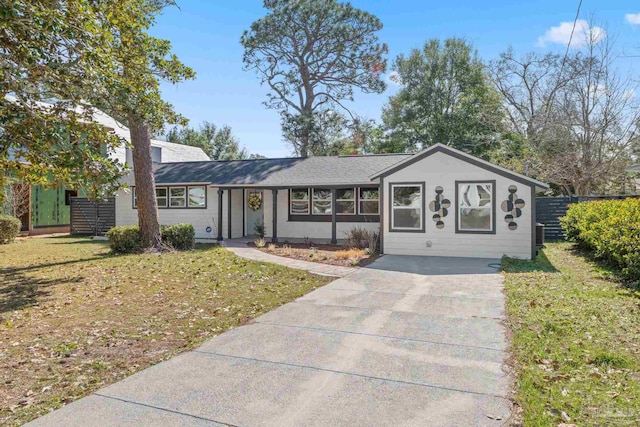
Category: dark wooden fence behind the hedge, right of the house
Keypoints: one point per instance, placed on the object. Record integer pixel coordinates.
(550, 209)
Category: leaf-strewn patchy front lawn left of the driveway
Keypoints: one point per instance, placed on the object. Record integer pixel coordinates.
(74, 318)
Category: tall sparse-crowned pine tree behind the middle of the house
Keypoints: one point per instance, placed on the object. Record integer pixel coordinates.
(312, 55)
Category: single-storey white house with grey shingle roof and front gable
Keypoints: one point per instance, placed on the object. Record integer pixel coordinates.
(438, 202)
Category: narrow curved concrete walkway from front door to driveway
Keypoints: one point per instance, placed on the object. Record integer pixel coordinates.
(240, 248)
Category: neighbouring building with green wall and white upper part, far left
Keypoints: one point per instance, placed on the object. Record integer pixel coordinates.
(49, 210)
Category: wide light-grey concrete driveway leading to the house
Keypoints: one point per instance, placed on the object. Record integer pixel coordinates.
(408, 341)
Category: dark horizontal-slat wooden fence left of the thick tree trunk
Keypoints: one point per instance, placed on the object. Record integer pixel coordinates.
(89, 217)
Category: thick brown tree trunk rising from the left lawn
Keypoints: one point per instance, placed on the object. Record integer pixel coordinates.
(145, 184)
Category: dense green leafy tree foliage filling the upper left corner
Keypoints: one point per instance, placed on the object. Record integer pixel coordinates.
(51, 52)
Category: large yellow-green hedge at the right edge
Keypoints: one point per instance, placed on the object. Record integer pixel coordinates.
(610, 229)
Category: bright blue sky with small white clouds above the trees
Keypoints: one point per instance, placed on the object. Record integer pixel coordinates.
(205, 35)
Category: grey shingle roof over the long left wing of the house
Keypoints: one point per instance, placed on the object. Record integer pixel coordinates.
(311, 171)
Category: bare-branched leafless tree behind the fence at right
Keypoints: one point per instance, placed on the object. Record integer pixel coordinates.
(577, 113)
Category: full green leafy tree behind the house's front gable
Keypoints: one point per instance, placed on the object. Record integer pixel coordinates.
(445, 97)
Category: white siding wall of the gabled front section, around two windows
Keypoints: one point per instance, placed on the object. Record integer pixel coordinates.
(443, 170)
